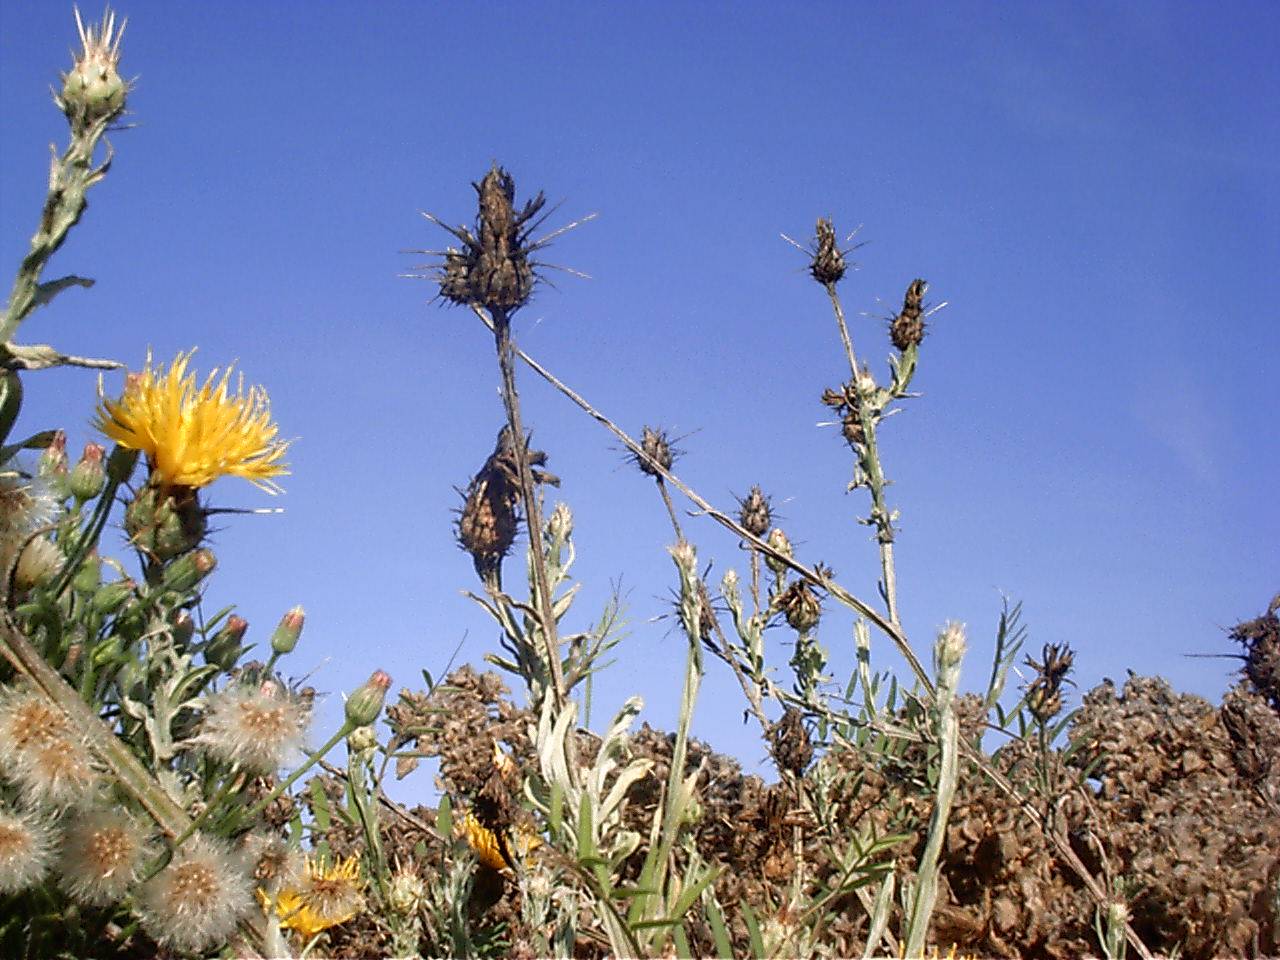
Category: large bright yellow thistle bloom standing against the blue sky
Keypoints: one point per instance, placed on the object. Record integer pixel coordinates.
(194, 435)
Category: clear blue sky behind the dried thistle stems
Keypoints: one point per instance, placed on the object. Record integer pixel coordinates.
(1092, 188)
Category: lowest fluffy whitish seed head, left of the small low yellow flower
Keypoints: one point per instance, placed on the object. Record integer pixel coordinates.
(195, 903)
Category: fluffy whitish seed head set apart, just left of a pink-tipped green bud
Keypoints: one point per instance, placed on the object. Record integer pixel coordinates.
(260, 726)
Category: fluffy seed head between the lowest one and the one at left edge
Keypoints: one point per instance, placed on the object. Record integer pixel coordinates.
(102, 853)
